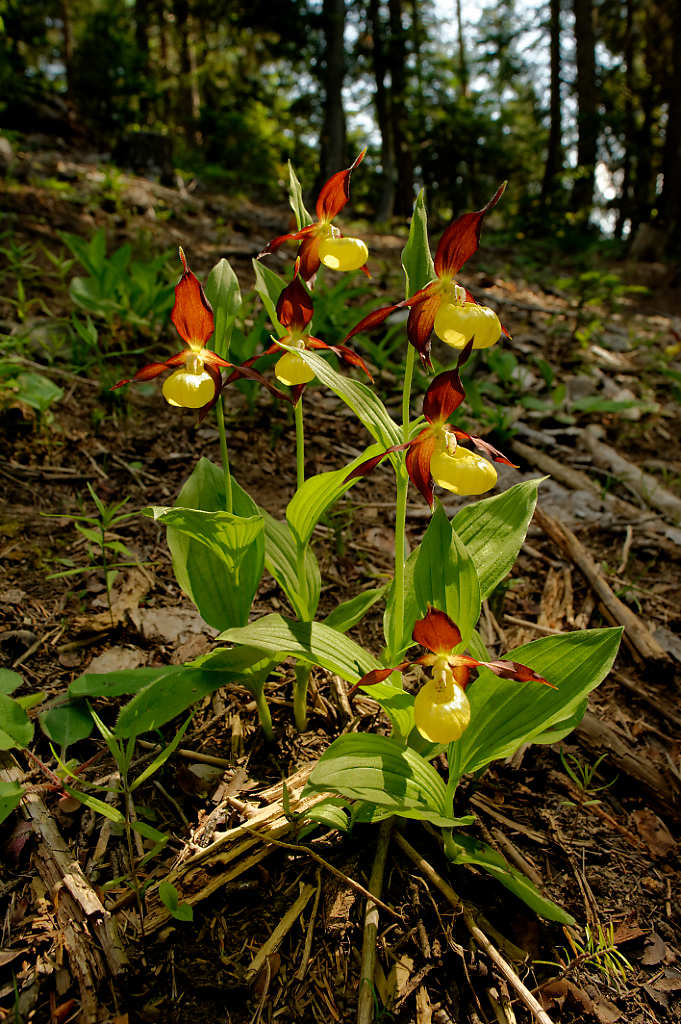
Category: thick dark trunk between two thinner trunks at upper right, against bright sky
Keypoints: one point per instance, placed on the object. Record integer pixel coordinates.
(587, 118)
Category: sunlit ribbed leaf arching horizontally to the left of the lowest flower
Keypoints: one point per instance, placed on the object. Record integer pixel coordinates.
(312, 643)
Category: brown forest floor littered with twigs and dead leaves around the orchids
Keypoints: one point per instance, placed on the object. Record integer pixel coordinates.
(599, 837)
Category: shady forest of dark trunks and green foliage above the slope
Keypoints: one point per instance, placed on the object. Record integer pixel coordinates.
(577, 102)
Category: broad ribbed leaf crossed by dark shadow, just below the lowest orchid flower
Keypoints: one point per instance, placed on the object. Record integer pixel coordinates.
(384, 773)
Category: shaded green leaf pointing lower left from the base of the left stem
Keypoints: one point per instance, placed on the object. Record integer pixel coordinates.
(179, 688)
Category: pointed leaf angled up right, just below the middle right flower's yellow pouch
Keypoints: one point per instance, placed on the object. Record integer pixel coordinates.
(494, 530)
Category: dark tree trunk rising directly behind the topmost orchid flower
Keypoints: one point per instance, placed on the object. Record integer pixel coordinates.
(333, 141)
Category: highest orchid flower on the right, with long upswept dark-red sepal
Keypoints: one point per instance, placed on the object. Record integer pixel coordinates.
(444, 306)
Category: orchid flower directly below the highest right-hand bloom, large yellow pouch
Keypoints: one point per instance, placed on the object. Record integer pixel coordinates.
(435, 456)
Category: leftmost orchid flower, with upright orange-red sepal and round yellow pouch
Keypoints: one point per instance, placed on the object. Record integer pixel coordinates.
(198, 382)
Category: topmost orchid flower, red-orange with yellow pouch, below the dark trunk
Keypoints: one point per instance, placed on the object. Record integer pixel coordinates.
(323, 242)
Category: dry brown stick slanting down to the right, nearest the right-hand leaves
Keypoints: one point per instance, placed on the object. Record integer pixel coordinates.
(636, 633)
